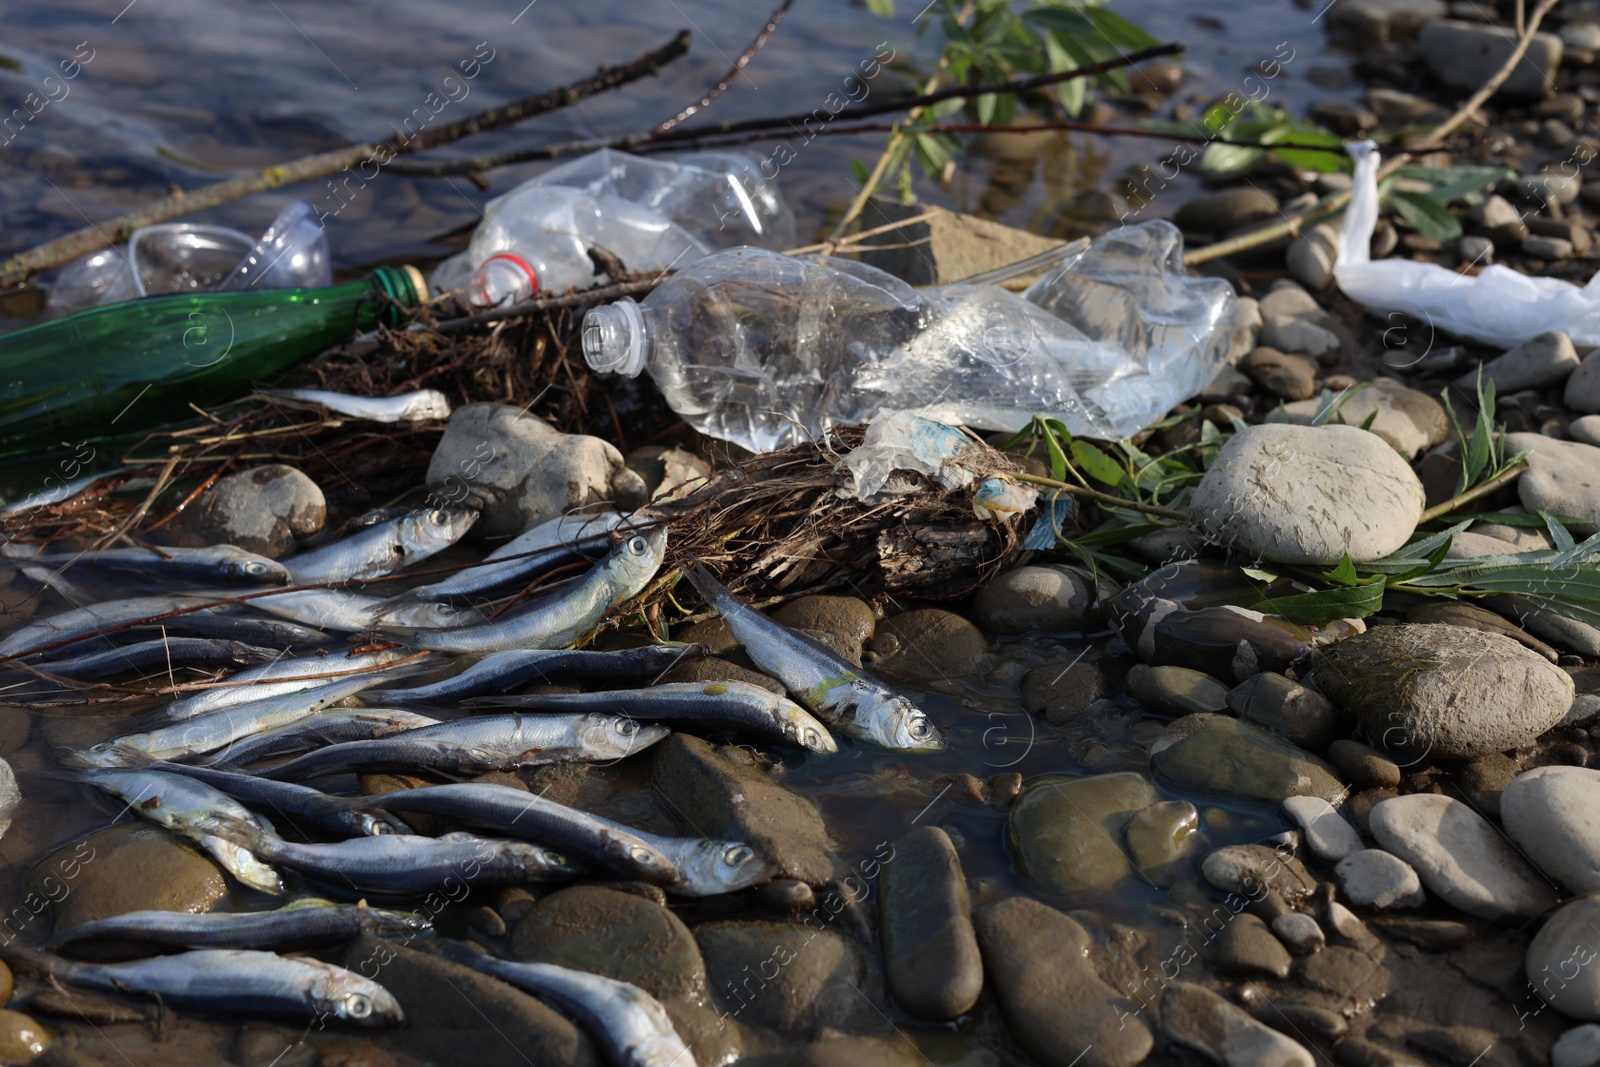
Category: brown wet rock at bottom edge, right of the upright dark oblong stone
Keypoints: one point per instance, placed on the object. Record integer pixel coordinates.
(1052, 997)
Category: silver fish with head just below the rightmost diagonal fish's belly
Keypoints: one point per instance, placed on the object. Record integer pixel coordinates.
(719, 705)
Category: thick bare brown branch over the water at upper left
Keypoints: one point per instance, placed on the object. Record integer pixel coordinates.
(113, 231)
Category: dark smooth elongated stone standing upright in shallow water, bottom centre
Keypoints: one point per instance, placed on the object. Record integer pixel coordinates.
(930, 951)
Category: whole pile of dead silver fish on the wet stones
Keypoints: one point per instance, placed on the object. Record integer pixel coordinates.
(303, 705)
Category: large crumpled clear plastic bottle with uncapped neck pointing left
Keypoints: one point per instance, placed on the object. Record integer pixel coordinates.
(769, 351)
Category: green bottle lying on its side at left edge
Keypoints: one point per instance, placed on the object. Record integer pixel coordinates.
(126, 369)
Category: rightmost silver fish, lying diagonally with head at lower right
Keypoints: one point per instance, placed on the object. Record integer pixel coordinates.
(822, 679)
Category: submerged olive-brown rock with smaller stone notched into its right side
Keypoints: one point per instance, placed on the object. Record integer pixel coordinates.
(1066, 833)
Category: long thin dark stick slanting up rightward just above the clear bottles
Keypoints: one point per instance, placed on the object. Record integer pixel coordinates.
(682, 138)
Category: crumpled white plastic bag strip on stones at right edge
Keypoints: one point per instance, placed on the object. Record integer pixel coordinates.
(1500, 306)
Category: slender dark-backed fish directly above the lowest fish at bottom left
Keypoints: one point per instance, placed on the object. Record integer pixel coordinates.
(300, 924)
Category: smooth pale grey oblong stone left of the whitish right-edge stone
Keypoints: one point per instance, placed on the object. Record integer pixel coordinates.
(1462, 858)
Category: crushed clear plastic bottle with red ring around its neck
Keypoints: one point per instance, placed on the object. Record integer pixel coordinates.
(650, 214)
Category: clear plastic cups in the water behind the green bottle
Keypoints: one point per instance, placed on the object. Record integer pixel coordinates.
(198, 258)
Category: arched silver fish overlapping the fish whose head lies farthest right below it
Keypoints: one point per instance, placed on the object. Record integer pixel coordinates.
(519, 813)
